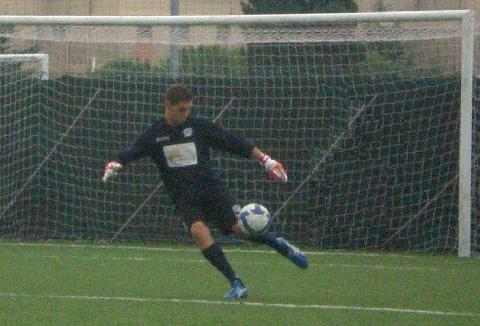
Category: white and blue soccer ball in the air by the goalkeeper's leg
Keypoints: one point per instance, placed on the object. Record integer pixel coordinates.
(254, 219)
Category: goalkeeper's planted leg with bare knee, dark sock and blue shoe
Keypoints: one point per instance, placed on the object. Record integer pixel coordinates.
(215, 255)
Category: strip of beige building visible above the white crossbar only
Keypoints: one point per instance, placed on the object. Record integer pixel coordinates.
(195, 7)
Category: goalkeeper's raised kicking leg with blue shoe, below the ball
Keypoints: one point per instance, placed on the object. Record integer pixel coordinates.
(281, 245)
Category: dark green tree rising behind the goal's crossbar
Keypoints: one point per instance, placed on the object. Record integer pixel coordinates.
(276, 57)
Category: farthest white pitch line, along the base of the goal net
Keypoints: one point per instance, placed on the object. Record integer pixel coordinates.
(166, 249)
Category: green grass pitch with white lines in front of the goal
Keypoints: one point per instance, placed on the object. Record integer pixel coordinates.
(92, 284)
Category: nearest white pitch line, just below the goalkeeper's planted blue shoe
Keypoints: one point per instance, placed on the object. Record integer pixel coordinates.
(242, 303)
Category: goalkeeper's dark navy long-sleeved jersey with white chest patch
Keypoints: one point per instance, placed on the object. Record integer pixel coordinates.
(182, 154)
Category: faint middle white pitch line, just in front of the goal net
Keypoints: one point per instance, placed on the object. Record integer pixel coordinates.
(202, 261)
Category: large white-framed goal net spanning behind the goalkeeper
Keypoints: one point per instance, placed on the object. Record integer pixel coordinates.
(363, 110)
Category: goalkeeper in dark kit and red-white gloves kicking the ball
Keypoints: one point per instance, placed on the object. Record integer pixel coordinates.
(180, 146)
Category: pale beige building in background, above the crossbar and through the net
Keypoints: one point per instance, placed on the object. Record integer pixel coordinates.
(83, 57)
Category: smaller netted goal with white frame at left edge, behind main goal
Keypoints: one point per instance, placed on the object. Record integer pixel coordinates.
(20, 101)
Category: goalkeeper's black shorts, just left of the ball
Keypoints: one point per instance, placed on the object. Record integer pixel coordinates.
(212, 206)
